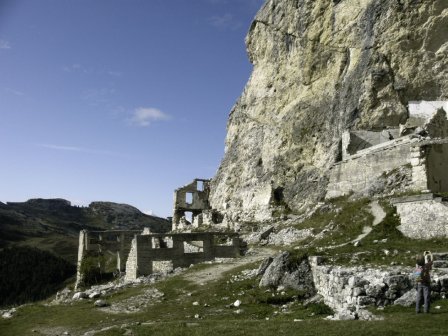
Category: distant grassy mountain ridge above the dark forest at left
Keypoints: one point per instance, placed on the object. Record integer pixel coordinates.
(54, 224)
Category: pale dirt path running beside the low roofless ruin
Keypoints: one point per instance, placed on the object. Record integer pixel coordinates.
(216, 271)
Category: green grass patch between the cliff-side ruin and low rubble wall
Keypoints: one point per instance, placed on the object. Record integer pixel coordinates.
(383, 246)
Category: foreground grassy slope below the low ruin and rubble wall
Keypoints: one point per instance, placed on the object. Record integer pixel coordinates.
(175, 314)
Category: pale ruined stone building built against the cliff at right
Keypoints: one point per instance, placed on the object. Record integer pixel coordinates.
(410, 159)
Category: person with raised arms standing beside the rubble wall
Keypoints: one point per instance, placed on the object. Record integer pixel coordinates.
(423, 281)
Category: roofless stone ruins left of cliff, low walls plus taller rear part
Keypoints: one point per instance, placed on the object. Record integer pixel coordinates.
(141, 253)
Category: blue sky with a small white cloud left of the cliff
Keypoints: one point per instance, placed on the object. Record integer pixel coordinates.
(117, 100)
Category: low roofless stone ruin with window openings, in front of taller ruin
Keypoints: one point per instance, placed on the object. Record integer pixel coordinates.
(138, 253)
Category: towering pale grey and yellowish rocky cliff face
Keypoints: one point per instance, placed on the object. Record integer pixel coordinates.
(322, 67)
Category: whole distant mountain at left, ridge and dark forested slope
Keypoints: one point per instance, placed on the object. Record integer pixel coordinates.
(39, 242)
